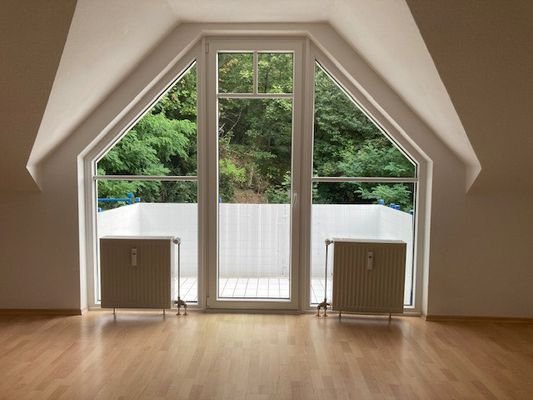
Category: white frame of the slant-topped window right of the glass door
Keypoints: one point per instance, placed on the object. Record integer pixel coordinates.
(348, 83)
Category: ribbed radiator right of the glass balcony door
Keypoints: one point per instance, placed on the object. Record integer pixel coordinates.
(368, 276)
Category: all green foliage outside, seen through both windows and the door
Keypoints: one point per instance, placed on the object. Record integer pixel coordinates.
(255, 142)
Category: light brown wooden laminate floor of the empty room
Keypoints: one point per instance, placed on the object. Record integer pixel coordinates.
(245, 356)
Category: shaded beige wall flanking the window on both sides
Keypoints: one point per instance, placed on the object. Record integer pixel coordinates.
(478, 264)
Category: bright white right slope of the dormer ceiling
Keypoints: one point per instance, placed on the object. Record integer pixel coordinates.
(385, 34)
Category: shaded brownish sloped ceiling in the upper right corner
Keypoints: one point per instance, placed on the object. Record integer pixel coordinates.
(483, 51)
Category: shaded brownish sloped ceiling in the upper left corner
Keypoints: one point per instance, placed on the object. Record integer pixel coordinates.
(32, 36)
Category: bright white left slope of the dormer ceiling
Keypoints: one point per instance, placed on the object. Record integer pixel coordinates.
(106, 41)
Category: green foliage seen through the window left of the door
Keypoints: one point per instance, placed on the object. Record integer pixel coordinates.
(163, 142)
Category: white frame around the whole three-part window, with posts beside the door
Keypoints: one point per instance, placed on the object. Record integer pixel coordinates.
(313, 49)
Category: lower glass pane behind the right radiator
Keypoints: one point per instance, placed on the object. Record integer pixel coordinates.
(360, 211)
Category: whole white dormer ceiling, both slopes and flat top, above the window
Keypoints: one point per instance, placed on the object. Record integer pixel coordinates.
(107, 39)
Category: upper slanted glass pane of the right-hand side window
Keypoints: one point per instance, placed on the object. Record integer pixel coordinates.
(346, 141)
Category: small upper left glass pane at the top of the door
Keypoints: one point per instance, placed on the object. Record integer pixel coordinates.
(235, 73)
